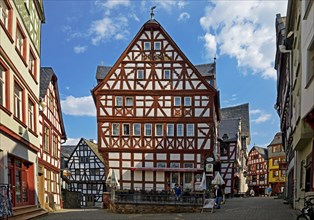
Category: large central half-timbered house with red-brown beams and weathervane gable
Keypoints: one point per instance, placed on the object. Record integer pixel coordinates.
(157, 114)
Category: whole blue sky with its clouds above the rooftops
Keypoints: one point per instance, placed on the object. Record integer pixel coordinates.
(79, 35)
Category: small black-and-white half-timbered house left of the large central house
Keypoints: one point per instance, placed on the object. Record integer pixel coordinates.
(87, 169)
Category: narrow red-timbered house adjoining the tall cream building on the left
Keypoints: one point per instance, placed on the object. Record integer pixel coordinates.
(52, 134)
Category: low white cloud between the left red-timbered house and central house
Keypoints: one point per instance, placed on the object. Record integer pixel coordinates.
(78, 106)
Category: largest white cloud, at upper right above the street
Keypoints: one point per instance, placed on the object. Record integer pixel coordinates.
(245, 30)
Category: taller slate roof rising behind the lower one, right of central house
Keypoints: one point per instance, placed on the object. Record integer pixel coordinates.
(238, 112)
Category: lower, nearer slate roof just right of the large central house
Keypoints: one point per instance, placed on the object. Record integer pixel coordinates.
(230, 127)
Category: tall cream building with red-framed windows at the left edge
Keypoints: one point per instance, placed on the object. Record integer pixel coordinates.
(20, 31)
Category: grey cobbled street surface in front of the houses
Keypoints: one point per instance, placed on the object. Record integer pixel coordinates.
(235, 209)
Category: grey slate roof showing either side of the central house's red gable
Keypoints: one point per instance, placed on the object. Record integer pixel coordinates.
(206, 70)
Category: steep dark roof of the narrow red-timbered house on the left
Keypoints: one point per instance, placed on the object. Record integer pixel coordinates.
(47, 75)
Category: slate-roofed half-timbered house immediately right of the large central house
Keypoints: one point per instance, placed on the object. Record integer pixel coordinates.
(234, 136)
